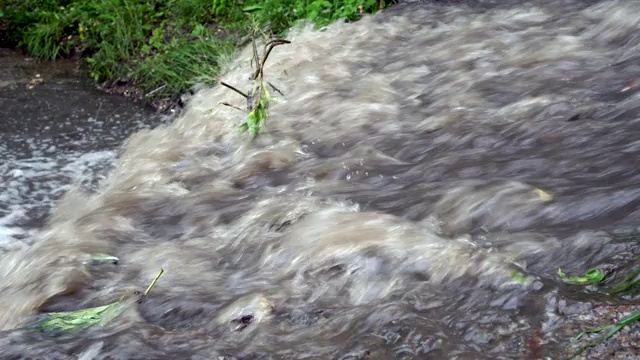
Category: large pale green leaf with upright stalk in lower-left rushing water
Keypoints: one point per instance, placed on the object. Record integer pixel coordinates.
(71, 321)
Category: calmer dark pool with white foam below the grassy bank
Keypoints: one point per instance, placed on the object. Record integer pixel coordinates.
(56, 129)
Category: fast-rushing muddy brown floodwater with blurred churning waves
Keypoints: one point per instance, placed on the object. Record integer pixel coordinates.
(418, 158)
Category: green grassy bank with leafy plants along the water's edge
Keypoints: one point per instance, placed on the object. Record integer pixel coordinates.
(153, 51)
